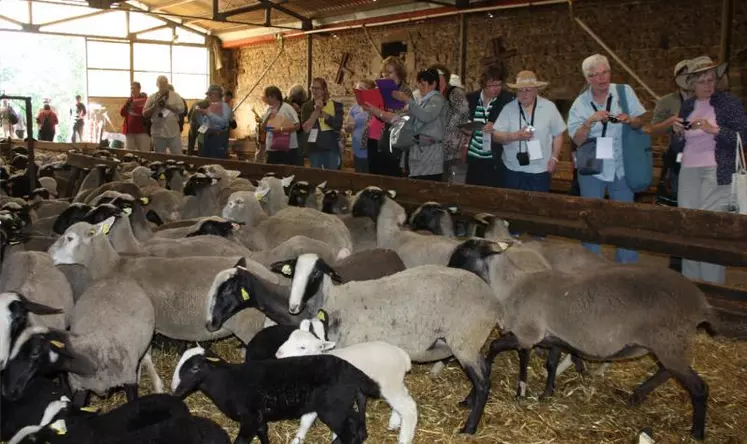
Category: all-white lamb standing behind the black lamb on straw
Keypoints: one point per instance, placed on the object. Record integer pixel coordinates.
(383, 362)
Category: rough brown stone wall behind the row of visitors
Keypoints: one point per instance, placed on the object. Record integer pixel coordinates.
(647, 35)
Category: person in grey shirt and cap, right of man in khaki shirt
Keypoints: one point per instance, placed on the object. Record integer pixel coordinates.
(215, 120)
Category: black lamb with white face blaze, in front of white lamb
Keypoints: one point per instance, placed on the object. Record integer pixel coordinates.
(272, 390)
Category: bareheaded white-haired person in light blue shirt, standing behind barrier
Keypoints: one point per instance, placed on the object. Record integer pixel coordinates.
(595, 112)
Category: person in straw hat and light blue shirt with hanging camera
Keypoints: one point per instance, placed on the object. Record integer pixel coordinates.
(531, 131)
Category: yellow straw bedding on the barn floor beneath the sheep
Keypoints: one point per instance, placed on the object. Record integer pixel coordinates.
(585, 409)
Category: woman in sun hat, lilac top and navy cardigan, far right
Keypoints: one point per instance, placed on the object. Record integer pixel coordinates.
(706, 135)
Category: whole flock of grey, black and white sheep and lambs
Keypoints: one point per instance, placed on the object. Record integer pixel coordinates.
(334, 294)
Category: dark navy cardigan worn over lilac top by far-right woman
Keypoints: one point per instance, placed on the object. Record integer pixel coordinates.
(731, 119)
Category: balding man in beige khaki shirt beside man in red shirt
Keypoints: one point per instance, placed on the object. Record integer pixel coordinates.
(163, 109)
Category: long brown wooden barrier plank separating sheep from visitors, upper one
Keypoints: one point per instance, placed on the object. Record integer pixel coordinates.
(700, 235)
